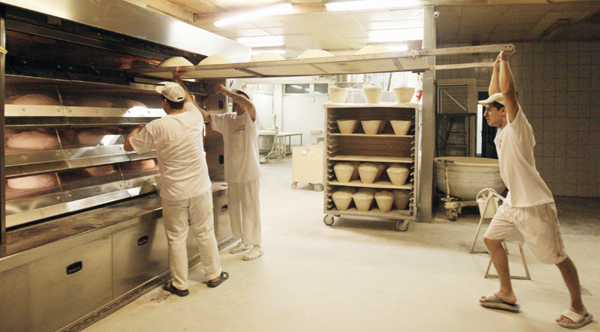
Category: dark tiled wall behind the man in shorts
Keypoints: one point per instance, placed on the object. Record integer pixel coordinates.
(559, 90)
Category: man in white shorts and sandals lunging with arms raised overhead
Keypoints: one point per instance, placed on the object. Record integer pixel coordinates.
(528, 213)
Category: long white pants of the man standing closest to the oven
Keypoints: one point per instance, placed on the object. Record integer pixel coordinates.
(199, 211)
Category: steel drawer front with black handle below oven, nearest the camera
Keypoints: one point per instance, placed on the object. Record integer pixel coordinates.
(67, 285)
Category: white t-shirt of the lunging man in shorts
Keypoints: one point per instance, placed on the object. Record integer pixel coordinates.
(515, 145)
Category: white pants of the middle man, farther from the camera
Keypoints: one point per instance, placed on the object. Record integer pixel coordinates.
(244, 212)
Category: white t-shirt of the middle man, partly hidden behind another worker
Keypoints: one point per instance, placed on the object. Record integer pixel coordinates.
(240, 138)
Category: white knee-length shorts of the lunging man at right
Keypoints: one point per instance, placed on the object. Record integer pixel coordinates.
(536, 225)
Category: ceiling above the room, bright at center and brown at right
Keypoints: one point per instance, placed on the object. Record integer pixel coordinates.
(460, 21)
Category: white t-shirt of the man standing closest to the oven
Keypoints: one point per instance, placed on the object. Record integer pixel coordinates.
(178, 141)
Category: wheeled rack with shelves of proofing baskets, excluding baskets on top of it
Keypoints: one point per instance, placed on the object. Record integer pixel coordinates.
(371, 161)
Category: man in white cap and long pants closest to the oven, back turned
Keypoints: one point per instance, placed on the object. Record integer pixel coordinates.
(186, 188)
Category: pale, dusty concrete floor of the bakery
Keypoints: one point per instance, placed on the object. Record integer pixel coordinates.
(362, 275)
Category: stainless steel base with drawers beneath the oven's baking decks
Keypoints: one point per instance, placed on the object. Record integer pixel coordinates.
(63, 274)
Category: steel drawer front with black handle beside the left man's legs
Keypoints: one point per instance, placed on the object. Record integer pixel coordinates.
(140, 253)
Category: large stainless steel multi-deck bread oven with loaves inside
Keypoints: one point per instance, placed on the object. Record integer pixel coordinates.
(81, 230)
